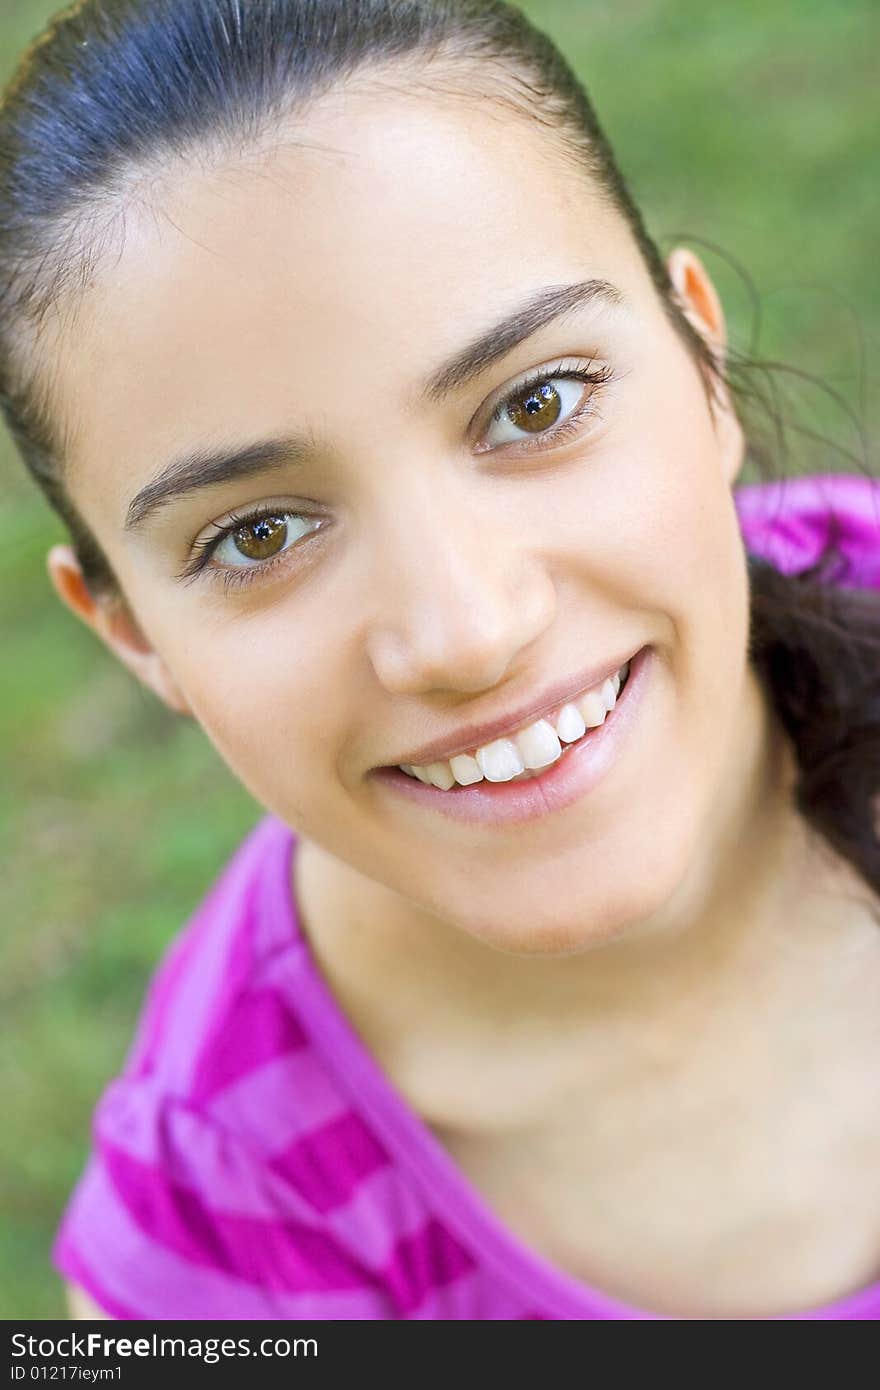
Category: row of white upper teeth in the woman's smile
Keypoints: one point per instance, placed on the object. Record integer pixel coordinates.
(507, 760)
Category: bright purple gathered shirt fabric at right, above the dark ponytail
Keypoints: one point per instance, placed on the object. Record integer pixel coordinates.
(790, 522)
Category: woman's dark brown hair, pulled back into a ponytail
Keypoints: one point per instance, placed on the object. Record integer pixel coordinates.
(116, 87)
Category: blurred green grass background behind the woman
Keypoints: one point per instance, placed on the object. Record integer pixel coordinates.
(751, 127)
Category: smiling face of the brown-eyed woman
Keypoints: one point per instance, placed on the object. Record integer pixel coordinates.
(434, 566)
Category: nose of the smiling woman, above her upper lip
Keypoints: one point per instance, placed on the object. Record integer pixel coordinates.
(462, 596)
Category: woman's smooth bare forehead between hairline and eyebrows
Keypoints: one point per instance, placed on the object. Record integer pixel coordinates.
(366, 243)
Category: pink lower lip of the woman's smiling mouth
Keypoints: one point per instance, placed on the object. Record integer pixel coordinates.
(580, 768)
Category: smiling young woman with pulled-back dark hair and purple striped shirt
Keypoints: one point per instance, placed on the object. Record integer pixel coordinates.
(396, 455)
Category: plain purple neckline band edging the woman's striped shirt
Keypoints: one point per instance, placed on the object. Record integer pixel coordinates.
(537, 1281)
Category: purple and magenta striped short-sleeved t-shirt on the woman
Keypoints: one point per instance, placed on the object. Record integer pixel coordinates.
(252, 1161)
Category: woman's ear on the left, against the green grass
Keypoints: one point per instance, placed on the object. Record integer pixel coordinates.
(116, 626)
